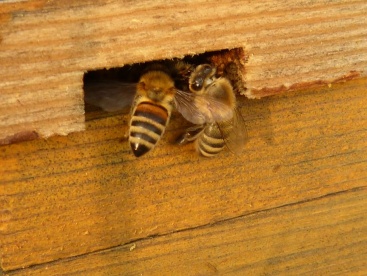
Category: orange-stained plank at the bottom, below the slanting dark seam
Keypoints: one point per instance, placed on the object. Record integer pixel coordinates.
(319, 237)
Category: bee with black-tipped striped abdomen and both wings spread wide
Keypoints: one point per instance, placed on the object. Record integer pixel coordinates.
(156, 94)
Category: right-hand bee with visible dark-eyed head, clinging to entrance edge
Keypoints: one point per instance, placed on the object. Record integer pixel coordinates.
(225, 127)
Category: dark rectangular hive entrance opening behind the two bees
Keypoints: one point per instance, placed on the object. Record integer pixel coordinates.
(102, 83)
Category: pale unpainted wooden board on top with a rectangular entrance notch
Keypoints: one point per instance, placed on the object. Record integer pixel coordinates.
(46, 46)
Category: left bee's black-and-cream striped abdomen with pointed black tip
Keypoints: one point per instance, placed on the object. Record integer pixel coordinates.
(147, 126)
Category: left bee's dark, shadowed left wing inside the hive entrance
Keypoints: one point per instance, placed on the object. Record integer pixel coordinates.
(109, 95)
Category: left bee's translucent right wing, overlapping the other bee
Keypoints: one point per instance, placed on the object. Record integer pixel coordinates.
(200, 109)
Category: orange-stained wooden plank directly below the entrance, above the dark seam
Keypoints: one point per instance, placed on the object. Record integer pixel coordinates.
(73, 195)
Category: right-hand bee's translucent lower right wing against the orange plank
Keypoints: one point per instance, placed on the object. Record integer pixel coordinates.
(236, 136)
